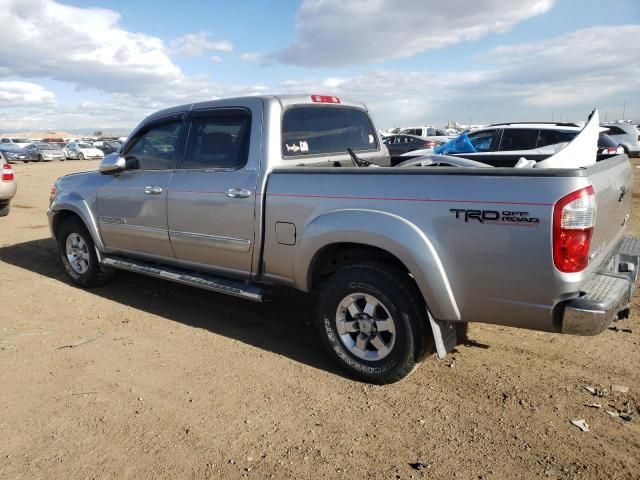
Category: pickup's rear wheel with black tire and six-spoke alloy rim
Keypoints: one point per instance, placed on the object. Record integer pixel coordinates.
(379, 293)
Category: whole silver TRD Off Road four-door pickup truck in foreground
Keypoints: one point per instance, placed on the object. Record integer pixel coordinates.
(239, 195)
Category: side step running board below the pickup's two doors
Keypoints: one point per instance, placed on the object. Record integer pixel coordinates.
(237, 288)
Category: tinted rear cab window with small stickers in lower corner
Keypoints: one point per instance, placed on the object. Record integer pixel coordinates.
(323, 130)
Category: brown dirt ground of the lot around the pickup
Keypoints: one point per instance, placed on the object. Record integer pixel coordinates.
(183, 383)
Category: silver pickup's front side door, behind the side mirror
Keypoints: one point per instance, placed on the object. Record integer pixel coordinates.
(132, 206)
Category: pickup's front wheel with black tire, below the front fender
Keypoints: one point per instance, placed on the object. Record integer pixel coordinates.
(86, 272)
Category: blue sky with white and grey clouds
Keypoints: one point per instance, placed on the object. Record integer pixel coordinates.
(96, 64)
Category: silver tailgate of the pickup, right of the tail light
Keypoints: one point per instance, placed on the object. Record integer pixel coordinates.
(612, 182)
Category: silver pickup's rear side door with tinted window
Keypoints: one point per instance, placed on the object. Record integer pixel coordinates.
(212, 197)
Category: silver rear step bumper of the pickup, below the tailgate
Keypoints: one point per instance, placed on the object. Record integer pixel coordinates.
(607, 293)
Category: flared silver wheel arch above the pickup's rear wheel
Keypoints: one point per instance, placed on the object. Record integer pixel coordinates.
(359, 234)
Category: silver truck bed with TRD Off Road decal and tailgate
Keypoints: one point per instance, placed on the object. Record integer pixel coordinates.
(492, 271)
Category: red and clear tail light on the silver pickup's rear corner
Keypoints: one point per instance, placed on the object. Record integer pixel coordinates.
(573, 220)
